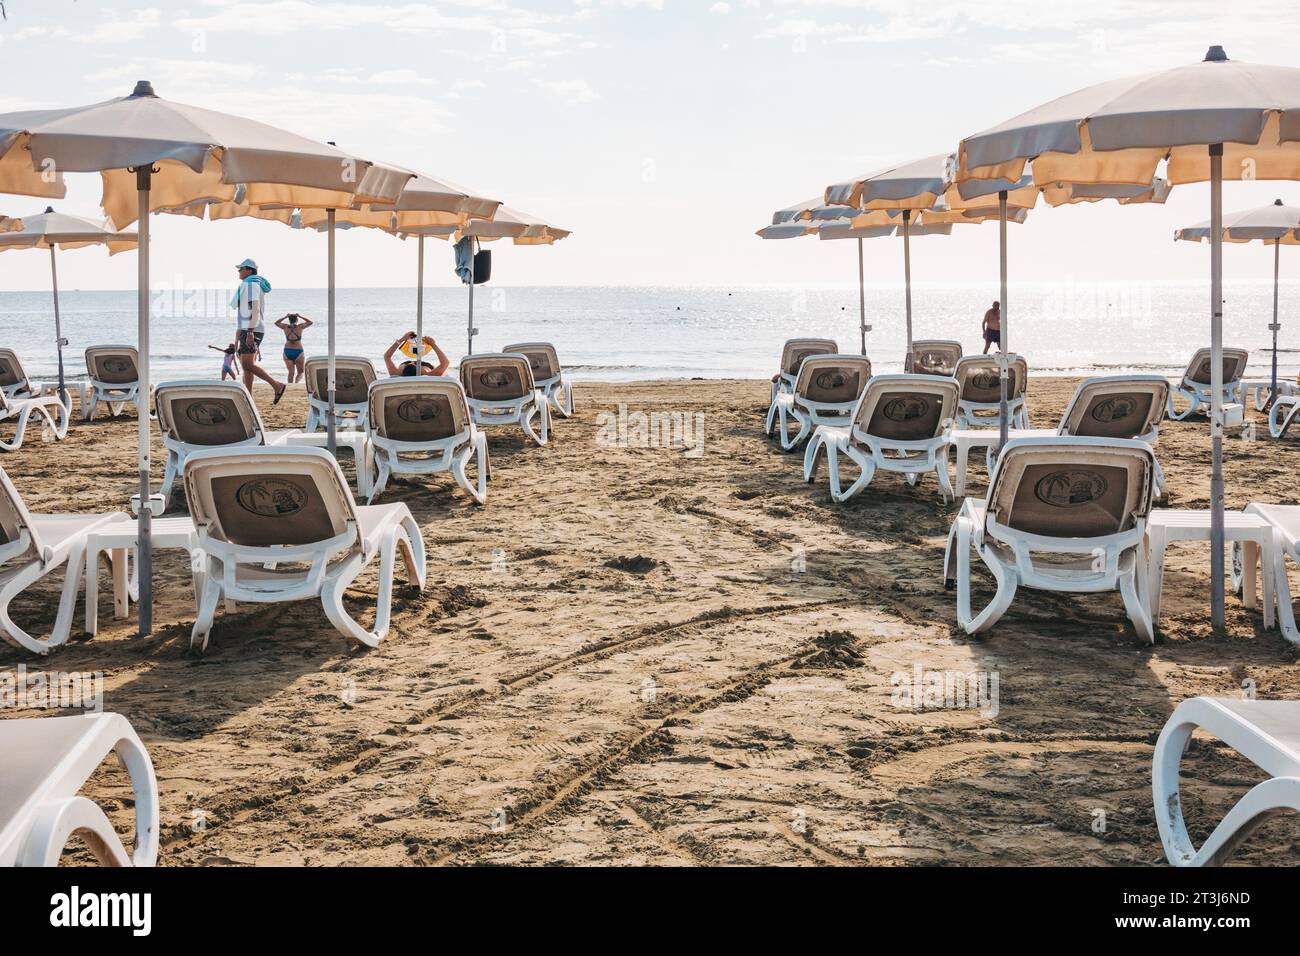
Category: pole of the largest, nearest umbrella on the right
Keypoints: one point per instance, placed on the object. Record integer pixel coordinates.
(1217, 387)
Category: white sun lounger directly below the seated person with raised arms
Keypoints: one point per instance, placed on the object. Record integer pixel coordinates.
(423, 427)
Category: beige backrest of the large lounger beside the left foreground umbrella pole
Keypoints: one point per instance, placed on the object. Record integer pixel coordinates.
(268, 496)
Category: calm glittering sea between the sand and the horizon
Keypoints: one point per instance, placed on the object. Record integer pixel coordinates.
(622, 334)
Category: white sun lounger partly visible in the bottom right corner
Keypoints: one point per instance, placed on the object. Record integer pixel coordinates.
(1264, 732)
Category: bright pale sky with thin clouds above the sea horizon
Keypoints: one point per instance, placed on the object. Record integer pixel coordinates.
(664, 133)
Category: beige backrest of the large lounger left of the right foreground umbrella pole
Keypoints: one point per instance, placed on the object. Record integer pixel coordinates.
(1073, 487)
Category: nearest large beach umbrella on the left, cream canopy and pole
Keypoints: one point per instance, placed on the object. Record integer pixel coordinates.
(159, 155)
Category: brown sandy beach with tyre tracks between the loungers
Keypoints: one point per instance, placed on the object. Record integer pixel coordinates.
(638, 656)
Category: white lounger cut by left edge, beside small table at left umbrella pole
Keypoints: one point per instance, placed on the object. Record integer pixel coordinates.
(33, 547)
